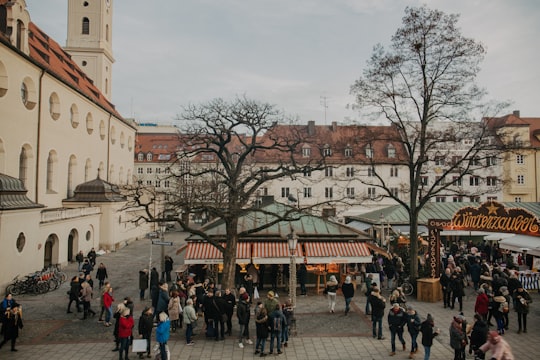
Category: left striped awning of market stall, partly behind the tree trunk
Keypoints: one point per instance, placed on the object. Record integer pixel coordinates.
(206, 253)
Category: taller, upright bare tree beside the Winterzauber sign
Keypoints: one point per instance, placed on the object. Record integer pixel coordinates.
(424, 86)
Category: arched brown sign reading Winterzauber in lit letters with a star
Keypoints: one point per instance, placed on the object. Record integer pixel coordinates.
(493, 216)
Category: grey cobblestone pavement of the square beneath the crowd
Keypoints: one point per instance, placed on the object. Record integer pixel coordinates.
(50, 332)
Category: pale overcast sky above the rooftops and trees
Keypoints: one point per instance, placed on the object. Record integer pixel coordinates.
(296, 54)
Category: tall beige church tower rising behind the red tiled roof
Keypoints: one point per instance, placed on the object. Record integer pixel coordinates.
(89, 40)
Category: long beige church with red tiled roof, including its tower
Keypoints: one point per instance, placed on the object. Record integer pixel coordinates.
(61, 139)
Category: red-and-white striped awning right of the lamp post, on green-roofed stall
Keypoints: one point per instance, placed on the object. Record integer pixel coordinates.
(326, 252)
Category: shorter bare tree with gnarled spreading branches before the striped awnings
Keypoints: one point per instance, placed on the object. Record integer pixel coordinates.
(221, 166)
